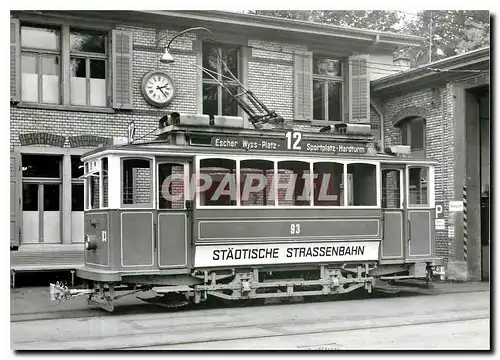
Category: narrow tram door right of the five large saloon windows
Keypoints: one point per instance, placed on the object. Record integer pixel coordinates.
(393, 244)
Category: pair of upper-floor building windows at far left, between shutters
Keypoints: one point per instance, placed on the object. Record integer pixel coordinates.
(42, 65)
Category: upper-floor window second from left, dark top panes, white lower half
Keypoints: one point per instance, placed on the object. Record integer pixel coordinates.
(88, 54)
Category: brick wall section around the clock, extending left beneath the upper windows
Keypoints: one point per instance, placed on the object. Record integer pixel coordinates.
(145, 116)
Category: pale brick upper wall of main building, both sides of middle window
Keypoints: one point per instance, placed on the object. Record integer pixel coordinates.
(270, 77)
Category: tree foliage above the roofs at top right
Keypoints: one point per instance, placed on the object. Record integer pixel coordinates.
(452, 31)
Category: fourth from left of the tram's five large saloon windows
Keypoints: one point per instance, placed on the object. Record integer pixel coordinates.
(328, 178)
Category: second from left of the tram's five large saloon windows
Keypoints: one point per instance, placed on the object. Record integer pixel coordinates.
(256, 183)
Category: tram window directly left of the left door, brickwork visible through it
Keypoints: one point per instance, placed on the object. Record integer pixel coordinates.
(136, 182)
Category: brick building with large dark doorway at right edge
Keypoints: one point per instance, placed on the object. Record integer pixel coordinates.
(442, 110)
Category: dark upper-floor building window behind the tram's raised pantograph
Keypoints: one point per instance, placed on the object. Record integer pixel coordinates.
(217, 101)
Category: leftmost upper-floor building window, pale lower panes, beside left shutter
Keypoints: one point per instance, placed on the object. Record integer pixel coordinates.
(40, 64)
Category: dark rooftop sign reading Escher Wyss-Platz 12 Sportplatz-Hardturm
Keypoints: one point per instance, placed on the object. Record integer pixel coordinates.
(293, 141)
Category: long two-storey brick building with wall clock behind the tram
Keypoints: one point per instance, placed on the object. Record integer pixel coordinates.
(77, 83)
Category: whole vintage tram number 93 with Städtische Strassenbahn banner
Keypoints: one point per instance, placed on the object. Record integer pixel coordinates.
(177, 215)
